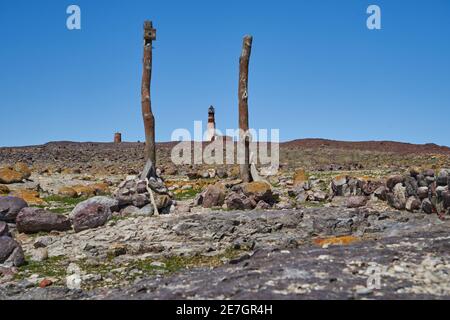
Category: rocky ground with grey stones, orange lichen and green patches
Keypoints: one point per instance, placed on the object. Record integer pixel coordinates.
(77, 221)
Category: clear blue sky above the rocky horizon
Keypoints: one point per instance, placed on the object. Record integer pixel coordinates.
(316, 70)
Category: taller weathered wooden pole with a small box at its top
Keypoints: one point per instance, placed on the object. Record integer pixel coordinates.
(149, 120)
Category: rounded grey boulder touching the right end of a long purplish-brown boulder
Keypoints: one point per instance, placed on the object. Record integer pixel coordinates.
(89, 216)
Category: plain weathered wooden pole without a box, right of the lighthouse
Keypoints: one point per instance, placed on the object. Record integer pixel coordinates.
(243, 107)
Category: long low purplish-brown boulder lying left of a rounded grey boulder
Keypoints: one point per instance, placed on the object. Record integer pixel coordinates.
(34, 220)
